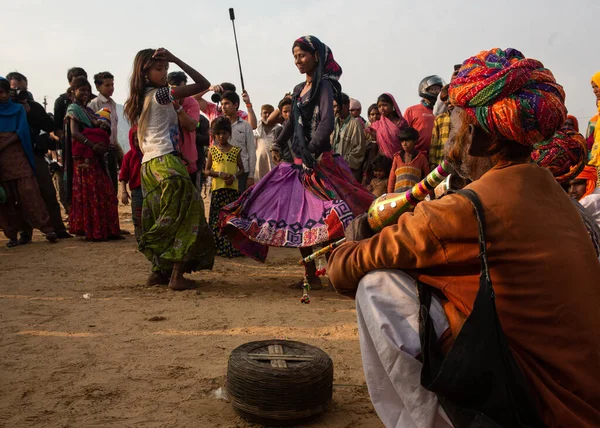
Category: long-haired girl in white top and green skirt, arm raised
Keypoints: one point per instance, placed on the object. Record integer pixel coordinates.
(175, 236)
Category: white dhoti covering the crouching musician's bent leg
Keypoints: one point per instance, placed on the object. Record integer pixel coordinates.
(387, 308)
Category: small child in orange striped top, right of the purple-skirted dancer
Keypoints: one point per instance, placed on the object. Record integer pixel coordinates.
(409, 166)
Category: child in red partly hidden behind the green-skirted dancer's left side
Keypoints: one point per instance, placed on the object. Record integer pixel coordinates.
(130, 175)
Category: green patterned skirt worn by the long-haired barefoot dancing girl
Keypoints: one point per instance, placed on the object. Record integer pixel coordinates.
(174, 227)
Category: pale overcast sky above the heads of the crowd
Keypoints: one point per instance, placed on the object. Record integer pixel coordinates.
(382, 46)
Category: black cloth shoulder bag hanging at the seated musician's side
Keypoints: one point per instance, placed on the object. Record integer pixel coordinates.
(478, 383)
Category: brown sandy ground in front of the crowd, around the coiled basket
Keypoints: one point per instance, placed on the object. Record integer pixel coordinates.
(147, 357)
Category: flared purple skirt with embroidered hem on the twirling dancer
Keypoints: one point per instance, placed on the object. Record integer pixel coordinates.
(292, 208)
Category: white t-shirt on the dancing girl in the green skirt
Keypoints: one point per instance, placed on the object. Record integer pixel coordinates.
(162, 130)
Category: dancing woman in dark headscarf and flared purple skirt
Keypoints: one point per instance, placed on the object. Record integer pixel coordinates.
(312, 200)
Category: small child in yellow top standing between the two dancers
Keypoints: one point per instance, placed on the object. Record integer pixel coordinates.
(225, 165)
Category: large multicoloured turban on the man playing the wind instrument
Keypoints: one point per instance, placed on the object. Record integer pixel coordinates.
(512, 97)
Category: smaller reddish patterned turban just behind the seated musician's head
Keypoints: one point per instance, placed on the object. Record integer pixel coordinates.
(565, 154)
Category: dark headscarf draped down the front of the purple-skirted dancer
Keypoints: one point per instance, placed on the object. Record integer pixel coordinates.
(306, 114)
